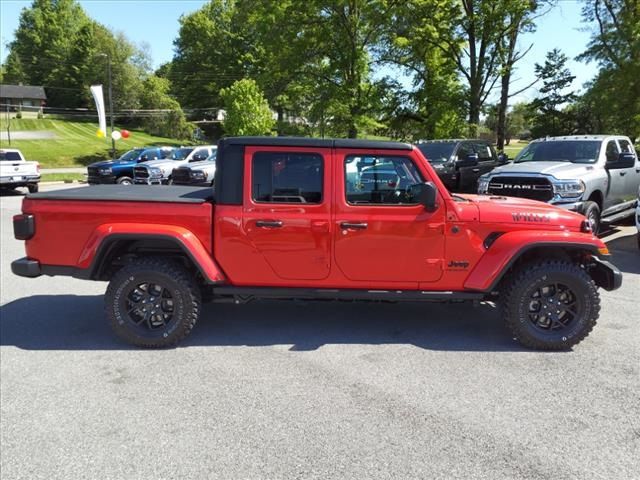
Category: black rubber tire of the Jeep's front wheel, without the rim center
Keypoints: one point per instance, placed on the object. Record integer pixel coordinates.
(516, 303)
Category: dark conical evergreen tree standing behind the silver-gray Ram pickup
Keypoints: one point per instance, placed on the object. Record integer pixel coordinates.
(556, 79)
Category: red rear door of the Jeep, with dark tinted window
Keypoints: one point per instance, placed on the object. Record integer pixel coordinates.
(286, 213)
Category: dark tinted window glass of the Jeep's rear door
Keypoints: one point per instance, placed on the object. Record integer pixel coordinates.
(287, 177)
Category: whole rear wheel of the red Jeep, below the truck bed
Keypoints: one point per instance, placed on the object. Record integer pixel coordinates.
(152, 302)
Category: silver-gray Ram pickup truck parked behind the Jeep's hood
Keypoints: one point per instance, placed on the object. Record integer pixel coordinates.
(596, 175)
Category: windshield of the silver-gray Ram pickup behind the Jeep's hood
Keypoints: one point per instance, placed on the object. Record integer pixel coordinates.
(574, 151)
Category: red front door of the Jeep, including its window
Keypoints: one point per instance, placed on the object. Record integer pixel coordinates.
(381, 234)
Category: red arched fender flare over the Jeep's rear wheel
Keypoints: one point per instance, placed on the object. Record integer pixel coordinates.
(188, 242)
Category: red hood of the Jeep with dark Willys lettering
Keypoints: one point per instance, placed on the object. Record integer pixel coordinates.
(524, 212)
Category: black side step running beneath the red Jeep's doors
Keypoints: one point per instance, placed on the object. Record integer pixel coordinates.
(245, 294)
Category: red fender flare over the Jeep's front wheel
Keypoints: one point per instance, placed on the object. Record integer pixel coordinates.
(510, 246)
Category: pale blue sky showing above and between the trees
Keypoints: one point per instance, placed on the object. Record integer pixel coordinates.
(156, 23)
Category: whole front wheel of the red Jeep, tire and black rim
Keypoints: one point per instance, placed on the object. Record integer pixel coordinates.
(551, 305)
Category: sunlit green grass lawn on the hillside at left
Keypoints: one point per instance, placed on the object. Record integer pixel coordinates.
(76, 143)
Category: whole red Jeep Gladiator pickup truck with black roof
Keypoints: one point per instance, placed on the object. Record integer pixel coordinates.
(317, 219)
